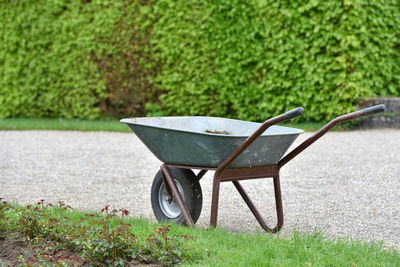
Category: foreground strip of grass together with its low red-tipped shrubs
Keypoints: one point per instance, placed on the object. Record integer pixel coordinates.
(190, 247)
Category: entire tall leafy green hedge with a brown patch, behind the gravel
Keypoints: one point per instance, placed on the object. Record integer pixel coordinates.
(248, 59)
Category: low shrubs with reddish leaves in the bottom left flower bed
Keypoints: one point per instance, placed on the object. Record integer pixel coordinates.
(56, 239)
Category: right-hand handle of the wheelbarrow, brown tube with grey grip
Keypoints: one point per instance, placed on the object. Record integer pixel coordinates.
(327, 127)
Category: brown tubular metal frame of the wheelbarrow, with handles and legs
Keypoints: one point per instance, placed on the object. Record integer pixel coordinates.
(225, 174)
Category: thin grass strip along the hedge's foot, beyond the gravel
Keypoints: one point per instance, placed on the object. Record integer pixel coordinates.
(112, 125)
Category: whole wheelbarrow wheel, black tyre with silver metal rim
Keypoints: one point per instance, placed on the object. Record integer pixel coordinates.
(167, 210)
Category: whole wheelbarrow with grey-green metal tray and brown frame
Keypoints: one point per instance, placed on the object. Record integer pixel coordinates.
(236, 150)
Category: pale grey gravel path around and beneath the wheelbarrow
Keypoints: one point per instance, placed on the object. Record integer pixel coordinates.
(346, 184)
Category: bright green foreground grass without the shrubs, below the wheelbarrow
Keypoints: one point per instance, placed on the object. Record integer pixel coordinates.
(217, 247)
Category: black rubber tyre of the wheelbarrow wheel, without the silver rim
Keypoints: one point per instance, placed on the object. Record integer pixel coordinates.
(191, 189)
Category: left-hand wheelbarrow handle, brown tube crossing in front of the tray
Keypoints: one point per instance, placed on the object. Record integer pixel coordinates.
(278, 119)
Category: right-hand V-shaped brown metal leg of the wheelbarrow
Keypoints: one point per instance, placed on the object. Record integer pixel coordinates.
(254, 210)
